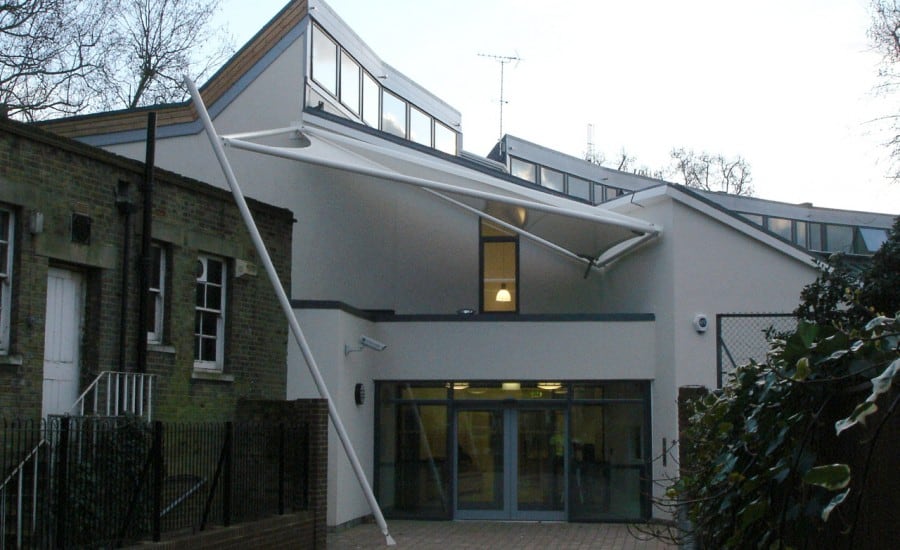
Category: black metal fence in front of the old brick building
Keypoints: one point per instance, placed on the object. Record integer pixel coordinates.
(105, 482)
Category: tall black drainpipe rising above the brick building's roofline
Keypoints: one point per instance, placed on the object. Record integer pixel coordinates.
(146, 251)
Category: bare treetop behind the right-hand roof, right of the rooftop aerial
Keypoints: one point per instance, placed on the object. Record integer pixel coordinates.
(712, 172)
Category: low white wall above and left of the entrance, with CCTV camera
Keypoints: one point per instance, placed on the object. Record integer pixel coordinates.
(445, 350)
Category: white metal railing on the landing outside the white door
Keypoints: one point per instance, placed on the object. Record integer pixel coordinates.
(117, 393)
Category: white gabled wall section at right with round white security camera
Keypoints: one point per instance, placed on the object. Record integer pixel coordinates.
(700, 265)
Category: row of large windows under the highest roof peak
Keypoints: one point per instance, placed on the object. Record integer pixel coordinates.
(347, 82)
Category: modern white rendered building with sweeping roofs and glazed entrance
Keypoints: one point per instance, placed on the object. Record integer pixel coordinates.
(535, 337)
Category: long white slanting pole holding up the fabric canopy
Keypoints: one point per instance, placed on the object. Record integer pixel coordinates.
(286, 307)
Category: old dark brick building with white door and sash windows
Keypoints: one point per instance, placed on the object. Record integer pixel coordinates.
(70, 249)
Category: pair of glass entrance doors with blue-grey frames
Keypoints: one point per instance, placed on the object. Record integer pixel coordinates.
(510, 463)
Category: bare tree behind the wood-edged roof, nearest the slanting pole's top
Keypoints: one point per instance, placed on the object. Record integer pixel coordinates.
(152, 44)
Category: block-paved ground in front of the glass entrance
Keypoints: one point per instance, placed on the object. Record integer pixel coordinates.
(453, 535)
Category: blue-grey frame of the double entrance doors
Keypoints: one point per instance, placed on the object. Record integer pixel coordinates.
(509, 510)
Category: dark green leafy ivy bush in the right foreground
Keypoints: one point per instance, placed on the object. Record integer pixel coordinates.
(758, 470)
